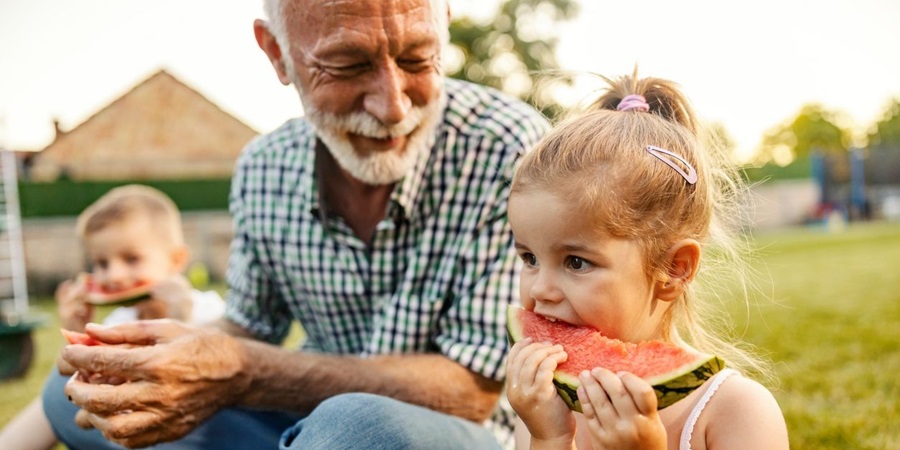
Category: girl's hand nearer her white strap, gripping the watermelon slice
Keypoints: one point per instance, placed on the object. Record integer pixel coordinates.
(620, 411)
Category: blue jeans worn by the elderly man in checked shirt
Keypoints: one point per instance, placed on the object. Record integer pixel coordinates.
(348, 421)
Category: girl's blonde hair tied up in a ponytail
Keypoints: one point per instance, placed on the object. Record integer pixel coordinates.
(599, 158)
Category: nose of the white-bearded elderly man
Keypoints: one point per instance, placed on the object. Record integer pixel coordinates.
(387, 100)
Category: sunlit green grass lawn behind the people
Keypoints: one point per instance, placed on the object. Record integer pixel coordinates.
(828, 317)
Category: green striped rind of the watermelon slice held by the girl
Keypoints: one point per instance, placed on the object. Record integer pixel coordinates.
(669, 388)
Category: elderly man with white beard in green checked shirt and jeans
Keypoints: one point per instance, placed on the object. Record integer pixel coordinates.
(378, 222)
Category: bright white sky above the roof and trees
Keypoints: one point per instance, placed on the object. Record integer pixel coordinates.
(749, 66)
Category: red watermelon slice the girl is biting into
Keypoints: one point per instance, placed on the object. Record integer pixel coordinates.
(674, 372)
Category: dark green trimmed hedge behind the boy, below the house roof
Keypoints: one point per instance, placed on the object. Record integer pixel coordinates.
(68, 198)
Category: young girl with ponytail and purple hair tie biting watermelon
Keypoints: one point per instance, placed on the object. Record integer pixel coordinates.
(611, 214)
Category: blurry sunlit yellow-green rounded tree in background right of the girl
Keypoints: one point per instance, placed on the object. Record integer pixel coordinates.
(813, 129)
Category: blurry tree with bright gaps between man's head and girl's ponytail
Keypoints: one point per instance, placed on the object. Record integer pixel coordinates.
(514, 50)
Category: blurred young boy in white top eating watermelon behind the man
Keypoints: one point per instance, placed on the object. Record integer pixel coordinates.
(131, 235)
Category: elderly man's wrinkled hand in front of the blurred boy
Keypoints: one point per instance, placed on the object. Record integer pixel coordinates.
(175, 378)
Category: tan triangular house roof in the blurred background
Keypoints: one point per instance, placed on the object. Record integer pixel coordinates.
(159, 119)
